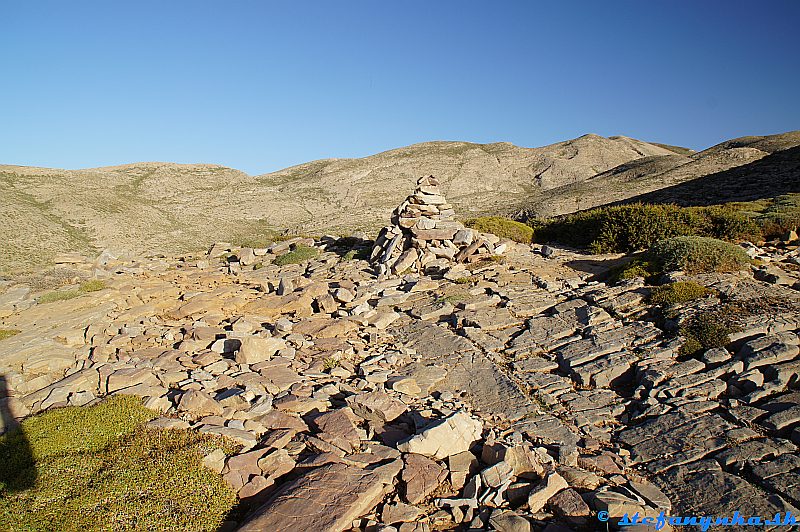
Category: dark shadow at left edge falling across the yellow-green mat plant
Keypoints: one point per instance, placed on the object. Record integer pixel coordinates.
(17, 467)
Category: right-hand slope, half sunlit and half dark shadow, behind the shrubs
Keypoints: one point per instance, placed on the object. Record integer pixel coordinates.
(648, 174)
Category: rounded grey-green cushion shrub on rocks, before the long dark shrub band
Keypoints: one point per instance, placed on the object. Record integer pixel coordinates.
(695, 254)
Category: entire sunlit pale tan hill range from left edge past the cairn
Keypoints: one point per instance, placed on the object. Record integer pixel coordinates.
(149, 208)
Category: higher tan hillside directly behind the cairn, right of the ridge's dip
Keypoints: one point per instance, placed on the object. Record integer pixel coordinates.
(477, 178)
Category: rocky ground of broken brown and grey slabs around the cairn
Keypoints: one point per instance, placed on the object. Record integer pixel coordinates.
(512, 396)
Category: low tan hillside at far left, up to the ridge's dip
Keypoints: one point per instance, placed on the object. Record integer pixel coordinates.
(139, 208)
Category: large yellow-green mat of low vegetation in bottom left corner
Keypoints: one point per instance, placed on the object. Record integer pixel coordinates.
(100, 468)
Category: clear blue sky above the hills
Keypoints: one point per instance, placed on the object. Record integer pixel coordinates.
(261, 85)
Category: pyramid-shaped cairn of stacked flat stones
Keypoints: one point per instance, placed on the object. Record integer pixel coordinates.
(424, 235)
